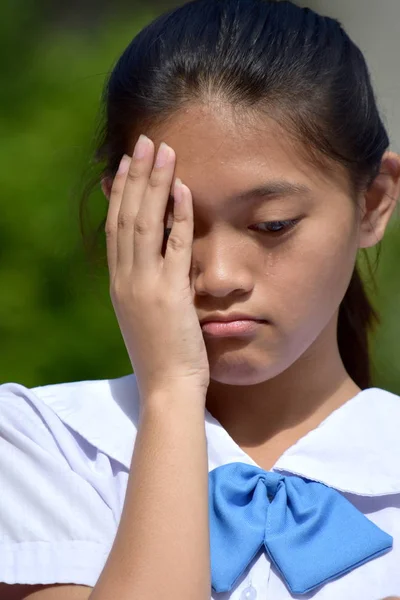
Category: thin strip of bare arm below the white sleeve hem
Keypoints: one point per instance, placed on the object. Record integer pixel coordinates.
(44, 592)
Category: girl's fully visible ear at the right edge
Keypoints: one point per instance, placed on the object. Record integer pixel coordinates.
(379, 201)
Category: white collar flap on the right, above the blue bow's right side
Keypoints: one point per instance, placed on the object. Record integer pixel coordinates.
(355, 449)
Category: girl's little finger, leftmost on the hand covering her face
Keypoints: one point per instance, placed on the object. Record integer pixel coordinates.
(111, 227)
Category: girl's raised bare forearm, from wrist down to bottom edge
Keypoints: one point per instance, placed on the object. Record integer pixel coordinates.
(162, 547)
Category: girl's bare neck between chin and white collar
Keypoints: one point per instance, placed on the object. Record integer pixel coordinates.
(267, 418)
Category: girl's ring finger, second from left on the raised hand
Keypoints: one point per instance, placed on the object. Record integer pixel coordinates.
(132, 197)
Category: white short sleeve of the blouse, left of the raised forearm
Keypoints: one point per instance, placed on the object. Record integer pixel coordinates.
(55, 526)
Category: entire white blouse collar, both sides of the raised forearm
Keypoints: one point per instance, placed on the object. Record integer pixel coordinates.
(356, 449)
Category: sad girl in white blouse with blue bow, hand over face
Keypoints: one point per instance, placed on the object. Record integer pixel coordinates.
(248, 456)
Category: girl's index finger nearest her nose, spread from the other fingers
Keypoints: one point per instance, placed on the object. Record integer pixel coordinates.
(178, 256)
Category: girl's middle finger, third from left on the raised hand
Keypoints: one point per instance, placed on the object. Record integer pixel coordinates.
(149, 223)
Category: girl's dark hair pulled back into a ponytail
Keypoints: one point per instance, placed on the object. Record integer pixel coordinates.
(260, 56)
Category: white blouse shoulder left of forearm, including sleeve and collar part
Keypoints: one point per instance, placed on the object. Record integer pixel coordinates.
(63, 475)
